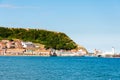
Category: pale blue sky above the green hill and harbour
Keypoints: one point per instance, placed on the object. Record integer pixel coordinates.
(94, 24)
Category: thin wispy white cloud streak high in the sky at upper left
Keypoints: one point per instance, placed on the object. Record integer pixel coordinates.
(13, 6)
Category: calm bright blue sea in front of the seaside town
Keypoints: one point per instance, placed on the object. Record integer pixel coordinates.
(59, 68)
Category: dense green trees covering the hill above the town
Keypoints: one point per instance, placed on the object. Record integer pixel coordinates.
(50, 39)
